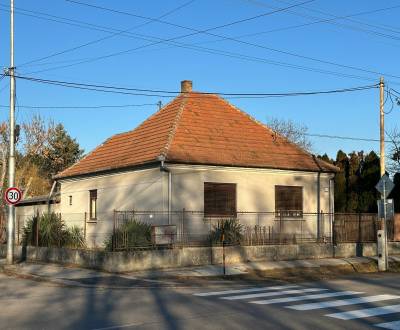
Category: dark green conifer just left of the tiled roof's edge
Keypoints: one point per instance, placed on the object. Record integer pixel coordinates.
(61, 151)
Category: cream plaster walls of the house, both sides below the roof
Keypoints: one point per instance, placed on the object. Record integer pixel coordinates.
(147, 189)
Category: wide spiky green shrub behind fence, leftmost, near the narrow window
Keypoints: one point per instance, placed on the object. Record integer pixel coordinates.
(52, 232)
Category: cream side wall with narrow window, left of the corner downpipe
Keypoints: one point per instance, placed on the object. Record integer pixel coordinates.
(134, 190)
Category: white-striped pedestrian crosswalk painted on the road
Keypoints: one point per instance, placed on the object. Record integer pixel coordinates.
(293, 296)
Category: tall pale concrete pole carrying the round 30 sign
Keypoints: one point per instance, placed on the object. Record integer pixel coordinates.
(11, 160)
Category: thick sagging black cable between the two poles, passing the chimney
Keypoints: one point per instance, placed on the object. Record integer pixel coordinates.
(146, 92)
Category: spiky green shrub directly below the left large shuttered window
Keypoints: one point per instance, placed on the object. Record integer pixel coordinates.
(232, 230)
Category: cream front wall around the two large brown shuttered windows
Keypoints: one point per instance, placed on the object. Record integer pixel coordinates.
(255, 190)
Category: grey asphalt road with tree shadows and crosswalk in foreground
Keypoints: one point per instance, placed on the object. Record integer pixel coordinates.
(359, 302)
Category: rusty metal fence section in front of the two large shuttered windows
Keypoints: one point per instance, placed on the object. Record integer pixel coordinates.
(194, 228)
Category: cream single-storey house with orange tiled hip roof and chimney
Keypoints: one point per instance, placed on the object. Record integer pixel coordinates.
(197, 153)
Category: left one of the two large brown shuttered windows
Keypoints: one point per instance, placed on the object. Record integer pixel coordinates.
(219, 199)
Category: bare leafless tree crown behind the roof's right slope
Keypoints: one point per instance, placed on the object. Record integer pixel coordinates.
(296, 133)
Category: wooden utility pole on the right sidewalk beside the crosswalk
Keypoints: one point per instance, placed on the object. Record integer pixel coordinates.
(382, 164)
